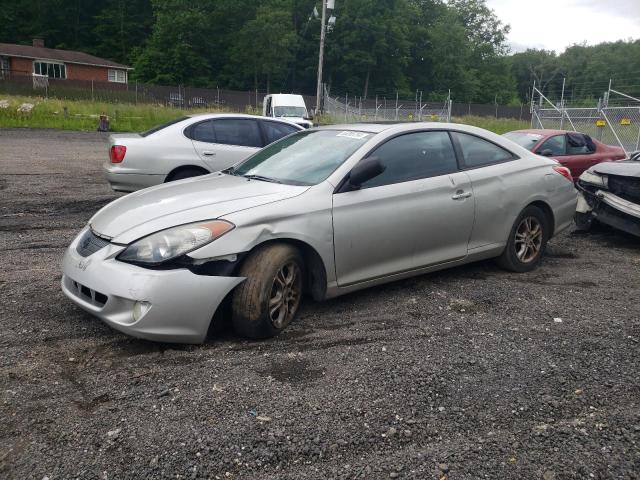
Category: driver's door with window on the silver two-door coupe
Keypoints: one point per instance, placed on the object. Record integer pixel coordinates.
(418, 212)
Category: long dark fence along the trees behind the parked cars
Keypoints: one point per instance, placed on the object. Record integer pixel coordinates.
(338, 108)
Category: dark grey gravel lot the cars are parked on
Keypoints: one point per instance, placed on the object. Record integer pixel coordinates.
(467, 373)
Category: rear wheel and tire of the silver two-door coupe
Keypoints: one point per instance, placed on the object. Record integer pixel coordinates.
(523, 252)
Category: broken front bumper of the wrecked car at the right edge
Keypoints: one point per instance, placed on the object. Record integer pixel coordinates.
(609, 209)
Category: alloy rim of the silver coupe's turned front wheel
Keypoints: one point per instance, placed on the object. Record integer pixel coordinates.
(285, 294)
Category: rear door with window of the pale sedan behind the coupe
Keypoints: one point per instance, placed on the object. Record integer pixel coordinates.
(223, 142)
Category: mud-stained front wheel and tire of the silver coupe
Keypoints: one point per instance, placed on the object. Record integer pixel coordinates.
(255, 299)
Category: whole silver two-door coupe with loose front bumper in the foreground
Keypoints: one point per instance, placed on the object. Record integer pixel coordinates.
(324, 212)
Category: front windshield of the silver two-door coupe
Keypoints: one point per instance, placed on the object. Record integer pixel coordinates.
(304, 158)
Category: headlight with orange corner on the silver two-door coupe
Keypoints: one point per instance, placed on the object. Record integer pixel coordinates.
(174, 242)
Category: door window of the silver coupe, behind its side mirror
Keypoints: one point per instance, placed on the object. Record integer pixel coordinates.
(414, 156)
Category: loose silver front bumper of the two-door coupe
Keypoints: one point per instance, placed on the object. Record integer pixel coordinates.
(170, 305)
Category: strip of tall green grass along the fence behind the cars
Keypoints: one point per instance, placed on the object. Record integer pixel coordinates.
(126, 117)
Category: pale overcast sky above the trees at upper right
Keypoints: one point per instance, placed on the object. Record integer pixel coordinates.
(558, 24)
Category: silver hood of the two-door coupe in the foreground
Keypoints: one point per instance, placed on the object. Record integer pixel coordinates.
(191, 200)
